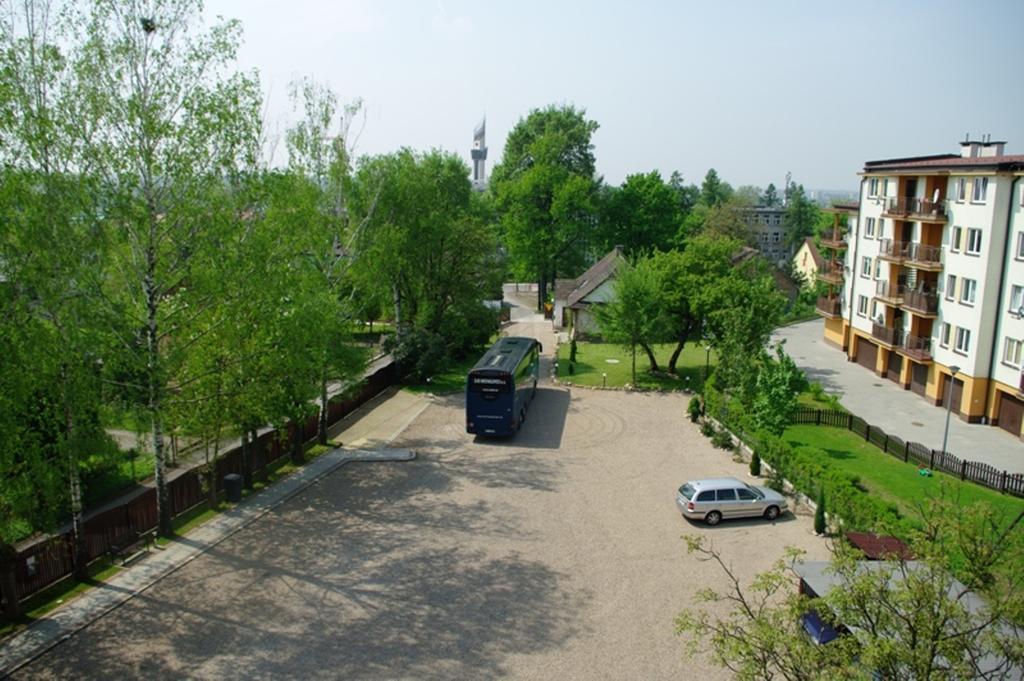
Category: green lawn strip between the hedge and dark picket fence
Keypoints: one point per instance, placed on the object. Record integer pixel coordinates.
(891, 479)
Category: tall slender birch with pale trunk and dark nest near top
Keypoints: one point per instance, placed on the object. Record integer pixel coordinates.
(177, 125)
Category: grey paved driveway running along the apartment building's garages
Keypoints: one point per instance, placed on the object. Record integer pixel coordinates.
(899, 412)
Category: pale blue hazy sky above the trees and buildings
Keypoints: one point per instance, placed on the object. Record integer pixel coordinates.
(753, 90)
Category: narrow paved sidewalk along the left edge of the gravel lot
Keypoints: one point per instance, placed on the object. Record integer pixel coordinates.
(377, 423)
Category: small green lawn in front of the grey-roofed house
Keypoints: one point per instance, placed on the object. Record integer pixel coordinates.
(593, 361)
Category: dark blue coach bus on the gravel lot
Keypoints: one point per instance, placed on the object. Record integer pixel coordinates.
(501, 387)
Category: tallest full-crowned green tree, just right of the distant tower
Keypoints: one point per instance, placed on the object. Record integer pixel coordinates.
(545, 188)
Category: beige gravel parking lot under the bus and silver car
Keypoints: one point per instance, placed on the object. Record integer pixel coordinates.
(557, 555)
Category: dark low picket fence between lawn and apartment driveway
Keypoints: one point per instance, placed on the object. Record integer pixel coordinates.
(975, 472)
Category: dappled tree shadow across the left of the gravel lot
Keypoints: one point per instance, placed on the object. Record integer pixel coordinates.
(371, 573)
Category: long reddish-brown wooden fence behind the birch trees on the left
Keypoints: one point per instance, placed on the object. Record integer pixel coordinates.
(48, 561)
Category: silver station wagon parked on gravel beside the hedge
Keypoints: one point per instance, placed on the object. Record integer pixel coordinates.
(720, 498)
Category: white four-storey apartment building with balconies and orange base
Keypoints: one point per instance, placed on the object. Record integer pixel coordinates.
(933, 280)
